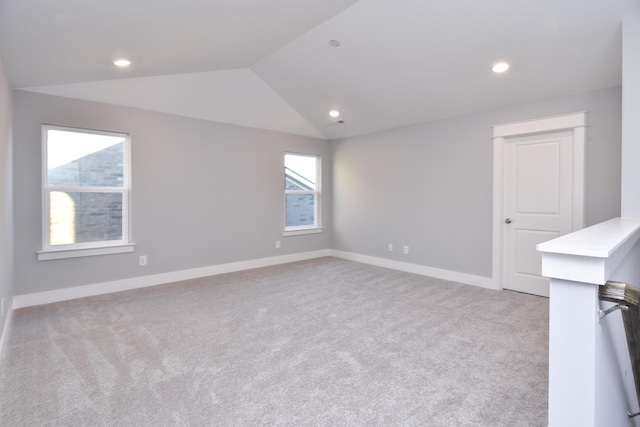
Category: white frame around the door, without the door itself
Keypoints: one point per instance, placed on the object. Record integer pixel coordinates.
(576, 123)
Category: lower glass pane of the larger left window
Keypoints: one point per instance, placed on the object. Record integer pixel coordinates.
(84, 217)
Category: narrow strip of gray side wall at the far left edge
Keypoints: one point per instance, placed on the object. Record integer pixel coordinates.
(6, 199)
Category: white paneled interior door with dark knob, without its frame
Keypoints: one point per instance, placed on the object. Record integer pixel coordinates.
(538, 204)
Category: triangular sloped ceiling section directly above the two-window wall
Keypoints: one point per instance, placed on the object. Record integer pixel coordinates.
(238, 97)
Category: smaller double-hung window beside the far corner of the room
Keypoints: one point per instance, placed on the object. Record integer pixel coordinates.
(302, 193)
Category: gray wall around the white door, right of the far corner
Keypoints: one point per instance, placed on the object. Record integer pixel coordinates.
(429, 186)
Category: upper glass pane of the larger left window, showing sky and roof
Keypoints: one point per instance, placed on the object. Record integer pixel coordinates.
(84, 159)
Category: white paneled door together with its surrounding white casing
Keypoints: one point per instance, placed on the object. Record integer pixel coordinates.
(543, 195)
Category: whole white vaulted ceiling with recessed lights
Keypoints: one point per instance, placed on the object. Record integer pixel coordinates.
(268, 64)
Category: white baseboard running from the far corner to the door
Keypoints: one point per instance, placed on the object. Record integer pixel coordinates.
(453, 276)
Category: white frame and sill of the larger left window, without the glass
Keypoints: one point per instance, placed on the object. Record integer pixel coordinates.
(75, 250)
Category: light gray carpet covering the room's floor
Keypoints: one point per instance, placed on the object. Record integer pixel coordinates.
(325, 342)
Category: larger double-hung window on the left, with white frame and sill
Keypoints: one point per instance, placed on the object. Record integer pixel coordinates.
(85, 192)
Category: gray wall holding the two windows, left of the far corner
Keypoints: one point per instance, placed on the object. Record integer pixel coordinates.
(204, 193)
